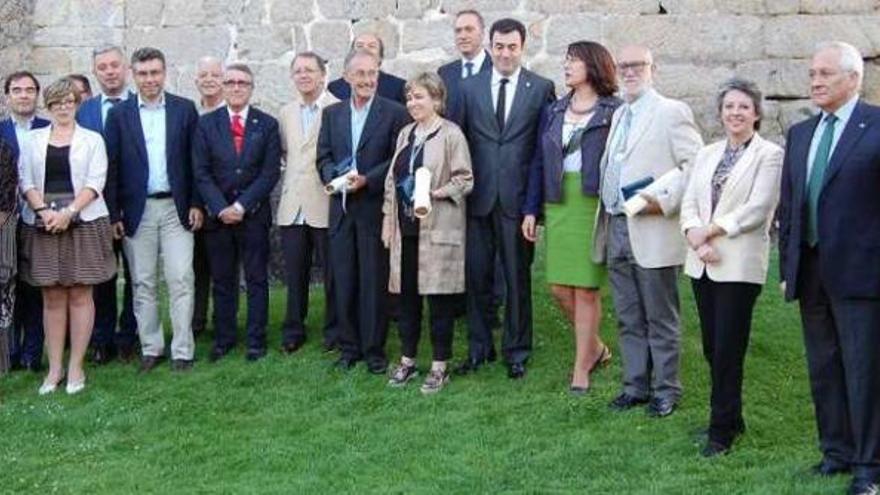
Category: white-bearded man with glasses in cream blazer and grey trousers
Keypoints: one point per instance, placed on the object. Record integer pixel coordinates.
(650, 136)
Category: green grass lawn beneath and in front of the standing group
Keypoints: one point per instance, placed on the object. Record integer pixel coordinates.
(295, 425)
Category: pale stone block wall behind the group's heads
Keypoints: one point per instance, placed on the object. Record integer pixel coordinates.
(697, 43)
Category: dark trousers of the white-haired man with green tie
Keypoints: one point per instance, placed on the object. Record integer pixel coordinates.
(842, 339)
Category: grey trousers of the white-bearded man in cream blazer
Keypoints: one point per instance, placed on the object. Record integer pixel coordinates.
(646, 304)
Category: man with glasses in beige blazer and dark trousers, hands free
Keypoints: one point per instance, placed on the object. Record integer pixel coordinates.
(304, 207)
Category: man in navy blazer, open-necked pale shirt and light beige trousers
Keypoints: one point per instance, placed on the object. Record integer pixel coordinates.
(153, 204)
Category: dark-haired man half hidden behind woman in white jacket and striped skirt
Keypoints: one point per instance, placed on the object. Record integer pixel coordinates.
(21, 90)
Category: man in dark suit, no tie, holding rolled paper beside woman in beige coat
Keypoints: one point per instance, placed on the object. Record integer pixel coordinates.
(358, 136)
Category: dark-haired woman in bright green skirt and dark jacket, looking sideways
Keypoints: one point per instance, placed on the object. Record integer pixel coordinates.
(564, 186)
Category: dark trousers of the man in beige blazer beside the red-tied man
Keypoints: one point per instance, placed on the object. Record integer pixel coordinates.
(299, 243)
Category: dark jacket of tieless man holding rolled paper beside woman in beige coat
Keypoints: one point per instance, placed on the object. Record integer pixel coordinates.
(374, 152)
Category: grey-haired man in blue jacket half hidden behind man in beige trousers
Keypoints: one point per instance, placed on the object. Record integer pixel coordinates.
(109, 67)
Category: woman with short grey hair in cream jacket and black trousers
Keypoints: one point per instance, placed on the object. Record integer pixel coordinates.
(726, 213)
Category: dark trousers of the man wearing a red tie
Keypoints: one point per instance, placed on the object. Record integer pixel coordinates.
(246, 243)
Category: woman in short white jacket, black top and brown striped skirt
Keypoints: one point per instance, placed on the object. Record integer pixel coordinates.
(66, 241)
